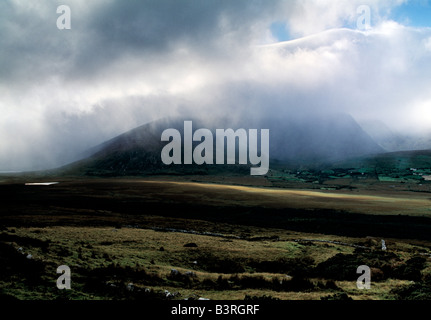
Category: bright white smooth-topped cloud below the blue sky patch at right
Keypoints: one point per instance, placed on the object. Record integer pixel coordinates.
(379, 73)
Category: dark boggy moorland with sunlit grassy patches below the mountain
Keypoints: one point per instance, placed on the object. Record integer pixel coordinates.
(155, 239)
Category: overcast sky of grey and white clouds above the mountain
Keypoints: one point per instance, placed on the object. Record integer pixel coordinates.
(125, 63)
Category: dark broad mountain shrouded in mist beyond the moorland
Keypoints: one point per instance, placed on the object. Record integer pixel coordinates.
(302, 139)
